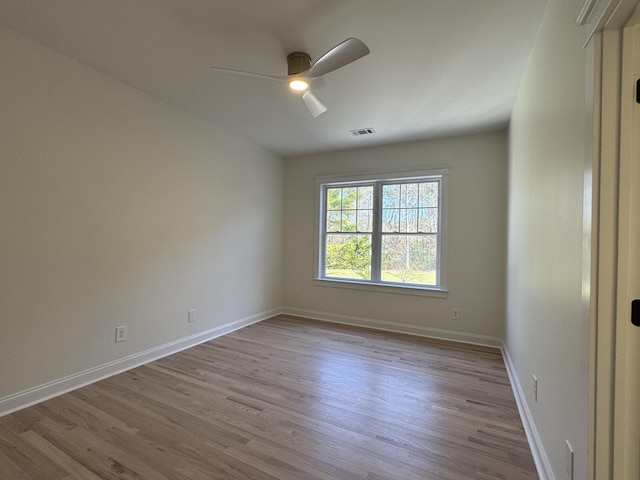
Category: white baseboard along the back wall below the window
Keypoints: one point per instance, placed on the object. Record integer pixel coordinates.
(429, 332)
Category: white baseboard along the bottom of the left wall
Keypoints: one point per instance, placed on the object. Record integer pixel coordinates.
(31, 396)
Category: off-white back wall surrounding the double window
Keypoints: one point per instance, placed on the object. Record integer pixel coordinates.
(476, 239)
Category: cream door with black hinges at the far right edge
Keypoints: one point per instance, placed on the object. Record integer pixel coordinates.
(626, 451)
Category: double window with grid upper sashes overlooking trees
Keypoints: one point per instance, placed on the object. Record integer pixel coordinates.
(383, 231)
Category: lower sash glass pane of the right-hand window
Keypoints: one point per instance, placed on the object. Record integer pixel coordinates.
(409, 259)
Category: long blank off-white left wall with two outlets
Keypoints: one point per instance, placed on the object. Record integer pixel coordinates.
(118, 209)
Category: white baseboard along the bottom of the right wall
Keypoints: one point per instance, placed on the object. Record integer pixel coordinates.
(535, 442)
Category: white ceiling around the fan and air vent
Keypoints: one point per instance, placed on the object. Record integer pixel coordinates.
(436, 68)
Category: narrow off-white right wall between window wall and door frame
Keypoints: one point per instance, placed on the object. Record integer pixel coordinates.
(547, 328)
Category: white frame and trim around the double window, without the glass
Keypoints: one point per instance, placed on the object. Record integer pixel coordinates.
(324, 181)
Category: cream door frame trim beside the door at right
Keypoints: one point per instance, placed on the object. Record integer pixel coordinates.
(608, 455)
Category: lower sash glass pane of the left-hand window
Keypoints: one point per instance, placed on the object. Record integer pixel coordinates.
(348, 256)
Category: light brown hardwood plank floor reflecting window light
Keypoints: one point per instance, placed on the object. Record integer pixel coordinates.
(284, 399)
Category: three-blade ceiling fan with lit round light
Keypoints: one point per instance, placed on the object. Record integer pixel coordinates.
(301, 72)
